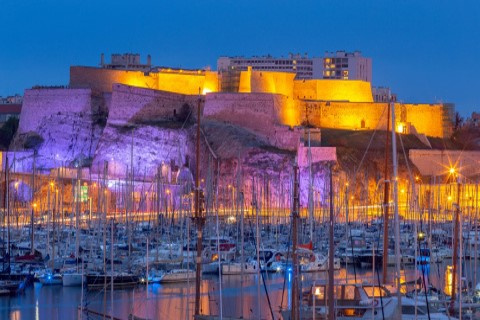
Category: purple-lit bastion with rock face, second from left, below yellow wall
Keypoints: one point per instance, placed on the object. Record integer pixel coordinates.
(138, 120)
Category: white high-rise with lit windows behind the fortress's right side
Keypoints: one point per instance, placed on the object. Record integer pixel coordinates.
(343, 65)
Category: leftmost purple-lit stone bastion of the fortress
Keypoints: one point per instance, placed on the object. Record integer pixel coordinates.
(63, 119)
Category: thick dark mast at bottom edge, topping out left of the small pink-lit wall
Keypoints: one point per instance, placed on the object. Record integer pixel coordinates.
(295, 290)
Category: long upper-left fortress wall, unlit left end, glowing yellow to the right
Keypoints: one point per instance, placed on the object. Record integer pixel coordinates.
(173, 81)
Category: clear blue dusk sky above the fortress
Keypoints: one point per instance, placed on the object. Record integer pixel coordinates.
(425, 50)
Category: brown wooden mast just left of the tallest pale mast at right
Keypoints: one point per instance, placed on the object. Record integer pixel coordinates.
(386, 192)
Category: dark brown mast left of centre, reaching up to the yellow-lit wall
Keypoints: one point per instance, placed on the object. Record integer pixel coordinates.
(199, 219)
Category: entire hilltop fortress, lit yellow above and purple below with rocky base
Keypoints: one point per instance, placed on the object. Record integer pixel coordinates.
(141, 123)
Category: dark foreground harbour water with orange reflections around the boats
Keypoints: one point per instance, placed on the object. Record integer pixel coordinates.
(176, 301)
